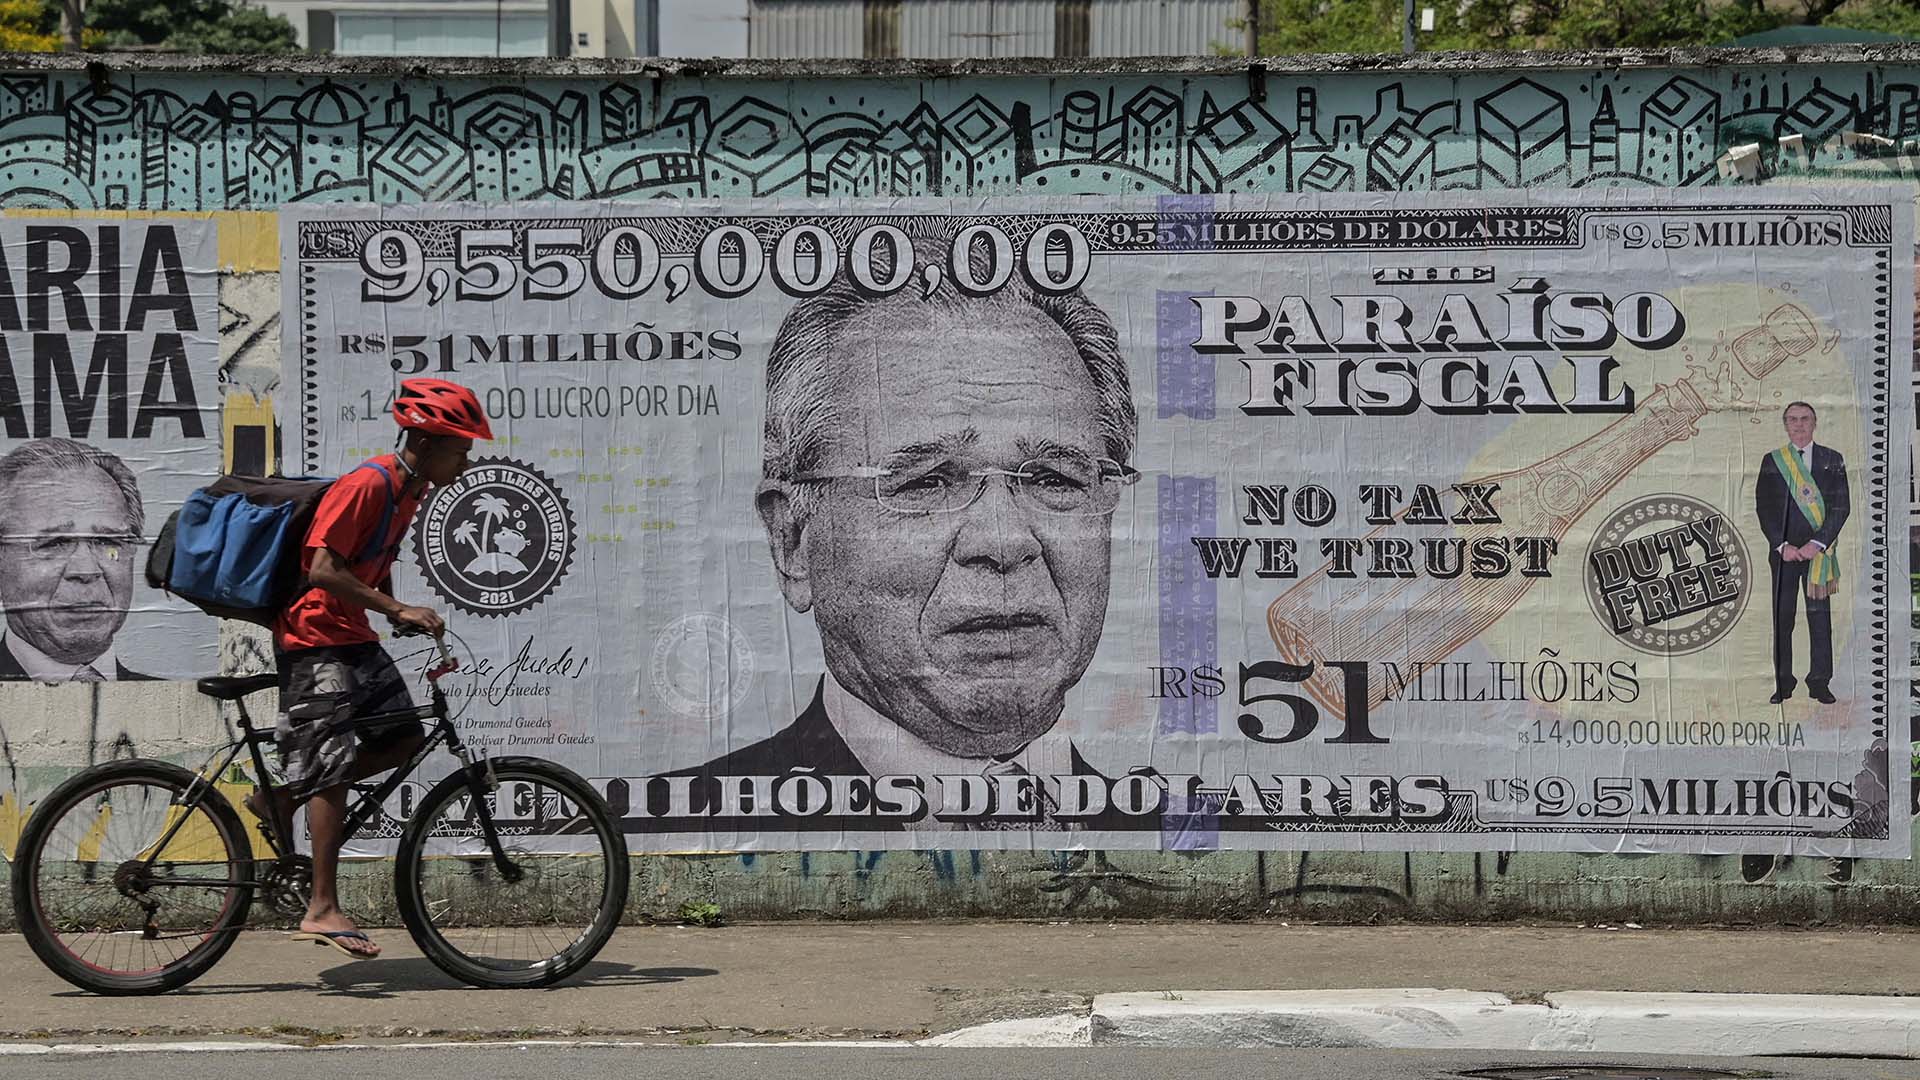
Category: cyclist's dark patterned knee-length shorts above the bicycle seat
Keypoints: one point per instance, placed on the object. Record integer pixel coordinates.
(324, 695)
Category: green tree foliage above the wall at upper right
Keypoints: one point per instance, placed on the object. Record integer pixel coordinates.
(1376, 26)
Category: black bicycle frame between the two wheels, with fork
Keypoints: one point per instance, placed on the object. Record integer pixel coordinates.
(479, 773)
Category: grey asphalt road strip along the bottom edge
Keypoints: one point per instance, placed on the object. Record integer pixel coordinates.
(886, 1064)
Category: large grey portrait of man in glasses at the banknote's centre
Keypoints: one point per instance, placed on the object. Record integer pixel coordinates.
(940, 479)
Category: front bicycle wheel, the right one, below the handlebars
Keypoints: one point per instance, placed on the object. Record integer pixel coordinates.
(535, 921)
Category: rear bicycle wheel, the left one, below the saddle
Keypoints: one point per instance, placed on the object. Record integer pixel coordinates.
(114, 904)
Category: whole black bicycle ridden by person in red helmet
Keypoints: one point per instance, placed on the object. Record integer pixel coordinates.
(160, 870)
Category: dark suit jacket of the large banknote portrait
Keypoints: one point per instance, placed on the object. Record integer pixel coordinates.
(815, 745)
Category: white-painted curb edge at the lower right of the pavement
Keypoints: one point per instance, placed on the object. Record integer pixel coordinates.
(1739, 1025)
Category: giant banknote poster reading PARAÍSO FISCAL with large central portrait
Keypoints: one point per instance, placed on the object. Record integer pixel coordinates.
(1504, 522)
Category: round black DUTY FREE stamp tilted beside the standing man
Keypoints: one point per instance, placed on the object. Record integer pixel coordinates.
(1668, 576)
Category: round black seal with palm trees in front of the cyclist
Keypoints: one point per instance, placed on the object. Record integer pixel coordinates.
(496, 541)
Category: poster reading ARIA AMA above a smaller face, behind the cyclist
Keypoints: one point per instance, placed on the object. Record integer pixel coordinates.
(110, 416)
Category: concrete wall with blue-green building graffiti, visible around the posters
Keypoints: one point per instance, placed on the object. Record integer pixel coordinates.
(239, 143)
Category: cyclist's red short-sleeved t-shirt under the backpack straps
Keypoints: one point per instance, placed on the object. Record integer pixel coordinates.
(345, 524)
